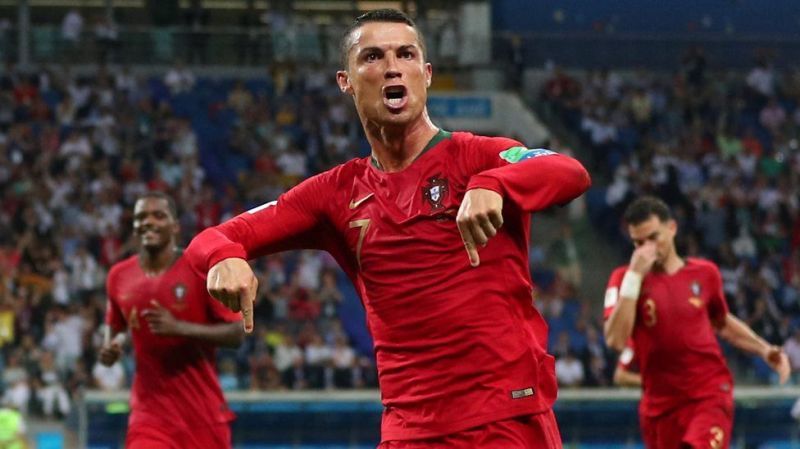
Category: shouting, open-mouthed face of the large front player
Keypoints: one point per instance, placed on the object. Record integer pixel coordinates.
(386, 74)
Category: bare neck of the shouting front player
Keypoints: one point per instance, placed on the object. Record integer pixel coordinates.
(395, 148)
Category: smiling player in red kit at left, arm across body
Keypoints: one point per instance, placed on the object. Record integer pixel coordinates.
(176, 400)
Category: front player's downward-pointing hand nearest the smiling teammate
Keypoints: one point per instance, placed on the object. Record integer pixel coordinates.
(233, 283)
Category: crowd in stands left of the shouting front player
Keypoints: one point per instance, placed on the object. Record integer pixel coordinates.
(77, 149)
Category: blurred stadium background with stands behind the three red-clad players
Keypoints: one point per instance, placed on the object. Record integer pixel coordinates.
(225, 104)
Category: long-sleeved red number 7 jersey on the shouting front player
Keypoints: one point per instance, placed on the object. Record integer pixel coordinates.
(456, 346)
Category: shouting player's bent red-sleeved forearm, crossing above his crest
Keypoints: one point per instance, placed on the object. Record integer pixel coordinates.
(537, 183)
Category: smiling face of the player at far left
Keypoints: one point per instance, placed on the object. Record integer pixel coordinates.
(153, 224)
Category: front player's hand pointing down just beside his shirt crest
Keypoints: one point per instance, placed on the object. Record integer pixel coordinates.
(479, 218)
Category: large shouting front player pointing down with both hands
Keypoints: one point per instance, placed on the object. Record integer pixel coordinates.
(461, 351)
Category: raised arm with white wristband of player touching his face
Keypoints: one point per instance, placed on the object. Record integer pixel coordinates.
(621, 308)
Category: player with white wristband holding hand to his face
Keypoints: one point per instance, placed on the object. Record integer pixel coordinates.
(671, 307)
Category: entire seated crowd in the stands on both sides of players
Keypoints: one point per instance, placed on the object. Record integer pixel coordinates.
(77, 148)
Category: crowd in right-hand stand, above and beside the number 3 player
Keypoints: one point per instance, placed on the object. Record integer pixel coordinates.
(722, 149)
